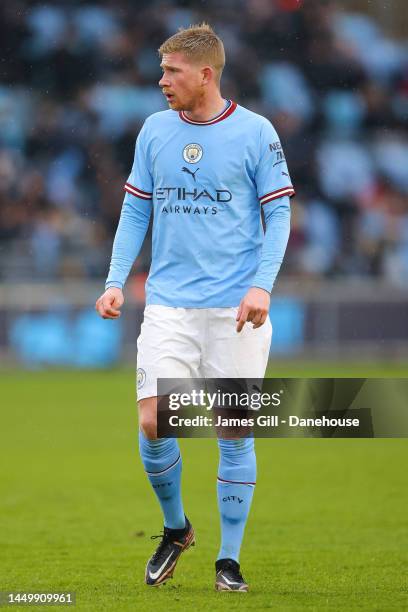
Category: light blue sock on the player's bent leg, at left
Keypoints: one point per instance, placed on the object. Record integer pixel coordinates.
(162, 461)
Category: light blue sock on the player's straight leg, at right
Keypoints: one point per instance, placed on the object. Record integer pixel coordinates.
(235, 488)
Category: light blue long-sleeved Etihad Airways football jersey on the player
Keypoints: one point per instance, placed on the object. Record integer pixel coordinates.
(205, 183)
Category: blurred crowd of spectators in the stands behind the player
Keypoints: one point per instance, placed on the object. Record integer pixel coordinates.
(77, 79)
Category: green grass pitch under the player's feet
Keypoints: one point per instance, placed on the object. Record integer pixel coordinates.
(328, 528)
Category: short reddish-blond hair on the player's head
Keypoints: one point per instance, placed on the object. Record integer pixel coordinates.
(199, 43)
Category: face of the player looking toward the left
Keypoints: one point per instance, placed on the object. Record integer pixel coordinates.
(182, 81)
